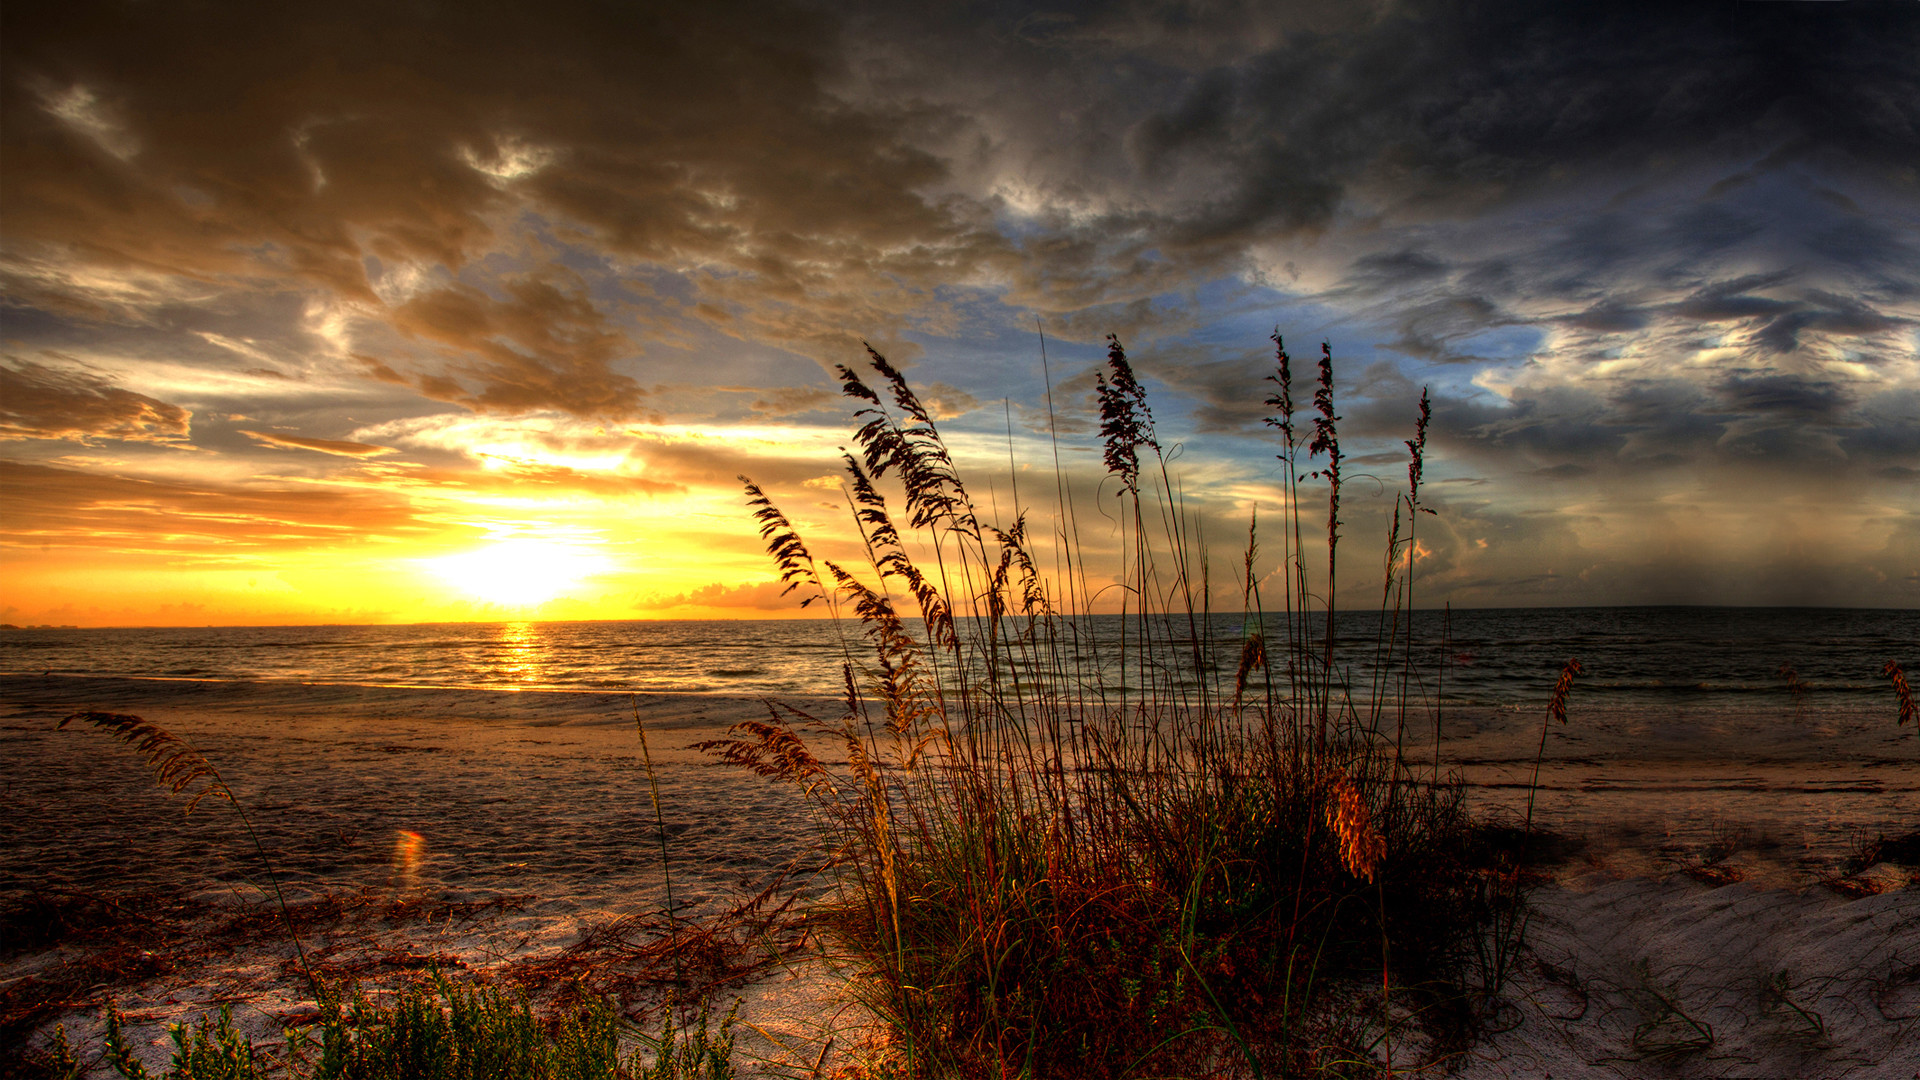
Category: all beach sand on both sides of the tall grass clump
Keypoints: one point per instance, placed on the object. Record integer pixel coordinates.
(1698, 935)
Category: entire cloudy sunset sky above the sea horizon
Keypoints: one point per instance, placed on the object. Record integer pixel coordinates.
(437, 312)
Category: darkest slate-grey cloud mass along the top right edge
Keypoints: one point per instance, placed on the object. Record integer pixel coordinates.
(1441, 105)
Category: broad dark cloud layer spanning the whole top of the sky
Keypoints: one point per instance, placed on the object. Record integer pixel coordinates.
(819, 172)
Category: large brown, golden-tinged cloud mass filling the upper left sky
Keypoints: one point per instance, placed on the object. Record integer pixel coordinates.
(239, 143)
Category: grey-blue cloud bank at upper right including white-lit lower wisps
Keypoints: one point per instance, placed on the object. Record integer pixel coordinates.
(1612, 176)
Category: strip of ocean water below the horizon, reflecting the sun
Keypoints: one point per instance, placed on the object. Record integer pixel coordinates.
(1631, 656)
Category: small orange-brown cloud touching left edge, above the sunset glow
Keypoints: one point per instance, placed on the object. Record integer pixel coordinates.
(59, 403)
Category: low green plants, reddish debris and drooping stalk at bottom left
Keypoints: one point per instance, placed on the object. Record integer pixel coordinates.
(435, 1029)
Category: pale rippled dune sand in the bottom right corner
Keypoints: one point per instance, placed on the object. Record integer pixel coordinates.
(1671, 977)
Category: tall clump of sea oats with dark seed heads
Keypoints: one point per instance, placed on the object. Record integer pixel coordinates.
(1090, 847)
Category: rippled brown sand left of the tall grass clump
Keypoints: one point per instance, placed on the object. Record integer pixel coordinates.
(412, 829)
